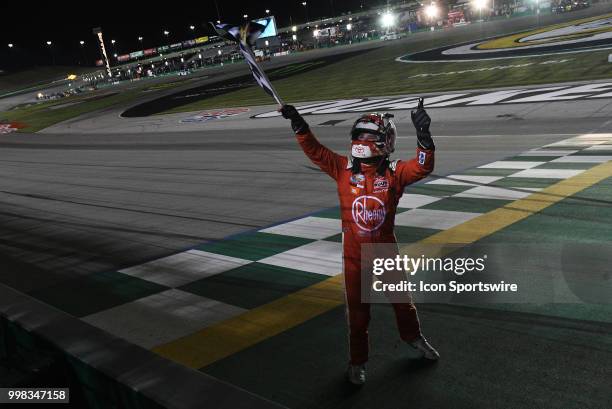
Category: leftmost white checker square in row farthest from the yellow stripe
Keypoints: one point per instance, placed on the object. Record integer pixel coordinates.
(183, 268)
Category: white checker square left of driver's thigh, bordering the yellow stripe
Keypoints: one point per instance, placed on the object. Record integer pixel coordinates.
(321, 257)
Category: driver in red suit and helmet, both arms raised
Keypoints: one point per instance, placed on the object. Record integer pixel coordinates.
(369, 188)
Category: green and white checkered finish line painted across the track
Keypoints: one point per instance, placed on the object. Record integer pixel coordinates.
(186, 293)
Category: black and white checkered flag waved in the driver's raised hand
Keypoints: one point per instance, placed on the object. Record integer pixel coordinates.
(245, 36)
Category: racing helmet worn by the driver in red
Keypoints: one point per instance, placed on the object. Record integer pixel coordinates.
(373, 135)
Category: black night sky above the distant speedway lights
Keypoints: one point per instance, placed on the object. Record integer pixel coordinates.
(29, 25)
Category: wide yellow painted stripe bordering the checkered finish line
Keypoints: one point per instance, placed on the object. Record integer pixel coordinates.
(236, 334)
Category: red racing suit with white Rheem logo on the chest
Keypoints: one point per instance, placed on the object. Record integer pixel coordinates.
(368, 204)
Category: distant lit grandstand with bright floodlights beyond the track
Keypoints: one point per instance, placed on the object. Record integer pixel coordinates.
(387, 23)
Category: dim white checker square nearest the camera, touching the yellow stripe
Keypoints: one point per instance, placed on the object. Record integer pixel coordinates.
(162, 317)
